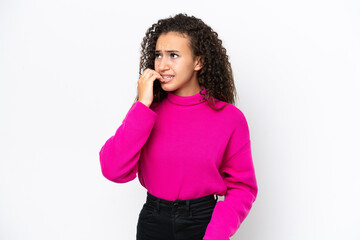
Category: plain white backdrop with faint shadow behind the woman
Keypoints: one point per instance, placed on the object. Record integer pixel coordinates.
(69, 72)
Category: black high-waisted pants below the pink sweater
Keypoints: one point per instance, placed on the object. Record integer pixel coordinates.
(161, 219)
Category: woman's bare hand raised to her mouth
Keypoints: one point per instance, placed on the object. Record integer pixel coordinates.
(145, 86)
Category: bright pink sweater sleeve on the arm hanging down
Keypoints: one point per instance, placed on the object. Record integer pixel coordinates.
(238, 174)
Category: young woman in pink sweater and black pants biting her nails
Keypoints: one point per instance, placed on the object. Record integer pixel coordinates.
(184, 138)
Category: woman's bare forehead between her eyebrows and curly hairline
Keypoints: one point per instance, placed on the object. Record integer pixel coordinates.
(173, 41)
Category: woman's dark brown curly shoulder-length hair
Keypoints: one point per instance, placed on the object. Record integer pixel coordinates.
(215, 75)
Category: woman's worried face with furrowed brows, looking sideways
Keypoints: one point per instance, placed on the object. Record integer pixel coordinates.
(175, 62)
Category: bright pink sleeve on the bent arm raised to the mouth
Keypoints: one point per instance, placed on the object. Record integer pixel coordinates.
(120, 154)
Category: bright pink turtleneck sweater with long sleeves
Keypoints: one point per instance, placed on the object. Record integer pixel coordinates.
(182, 149)
